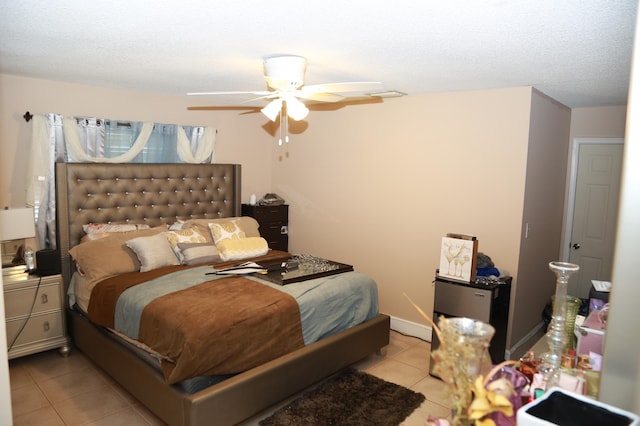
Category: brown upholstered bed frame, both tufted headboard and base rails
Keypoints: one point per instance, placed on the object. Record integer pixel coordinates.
(162, 193)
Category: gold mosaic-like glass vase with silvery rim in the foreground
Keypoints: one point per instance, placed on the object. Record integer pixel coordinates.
(462, 356)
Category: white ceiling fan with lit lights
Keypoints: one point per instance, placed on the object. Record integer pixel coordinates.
(286, 92)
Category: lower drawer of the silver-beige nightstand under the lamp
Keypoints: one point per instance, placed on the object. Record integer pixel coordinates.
(39, 327)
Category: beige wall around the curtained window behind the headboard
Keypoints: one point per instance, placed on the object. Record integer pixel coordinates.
(241, 138)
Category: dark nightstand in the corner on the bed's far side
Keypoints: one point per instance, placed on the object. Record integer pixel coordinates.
(273, 221)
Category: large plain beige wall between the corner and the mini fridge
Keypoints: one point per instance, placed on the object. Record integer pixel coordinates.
(379, 185)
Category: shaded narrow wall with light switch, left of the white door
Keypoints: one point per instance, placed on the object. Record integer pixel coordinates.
(542, 214)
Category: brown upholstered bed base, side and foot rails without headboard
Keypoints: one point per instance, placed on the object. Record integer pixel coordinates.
(239, 397)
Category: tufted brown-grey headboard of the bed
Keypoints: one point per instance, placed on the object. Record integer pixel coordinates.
(139, 193)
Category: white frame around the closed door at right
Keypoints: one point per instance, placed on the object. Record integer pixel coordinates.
(572, 177)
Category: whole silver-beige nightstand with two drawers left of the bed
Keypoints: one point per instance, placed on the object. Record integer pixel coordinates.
(34, 313)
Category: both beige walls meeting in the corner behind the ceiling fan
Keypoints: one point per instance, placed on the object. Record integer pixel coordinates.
(374, 185)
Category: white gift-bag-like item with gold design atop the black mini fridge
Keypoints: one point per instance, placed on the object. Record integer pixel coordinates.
(458, 257)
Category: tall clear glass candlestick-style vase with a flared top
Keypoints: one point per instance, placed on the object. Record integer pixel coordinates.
(557, 334)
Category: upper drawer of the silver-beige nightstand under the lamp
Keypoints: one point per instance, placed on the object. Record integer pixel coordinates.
(18, 302)
